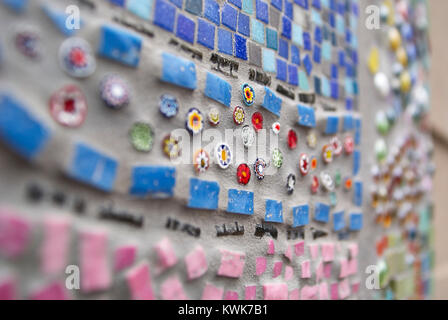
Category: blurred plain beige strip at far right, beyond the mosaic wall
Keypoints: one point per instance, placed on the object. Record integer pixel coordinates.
(439, 119)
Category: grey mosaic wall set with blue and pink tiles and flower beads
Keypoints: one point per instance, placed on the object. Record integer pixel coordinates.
(206, 149)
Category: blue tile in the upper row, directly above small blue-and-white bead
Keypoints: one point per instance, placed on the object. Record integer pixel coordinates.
(178, 71)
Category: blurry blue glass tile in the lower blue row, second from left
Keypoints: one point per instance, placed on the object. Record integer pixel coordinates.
(92, 167)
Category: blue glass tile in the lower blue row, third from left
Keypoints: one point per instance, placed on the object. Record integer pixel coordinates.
(156, 181)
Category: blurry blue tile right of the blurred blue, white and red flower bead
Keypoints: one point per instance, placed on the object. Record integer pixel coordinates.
(120, 45)
